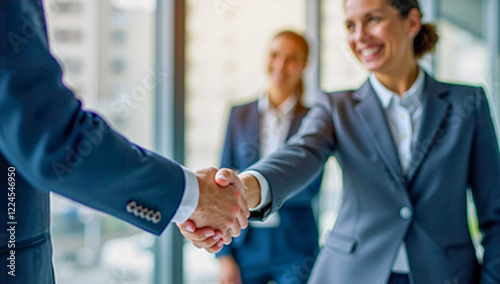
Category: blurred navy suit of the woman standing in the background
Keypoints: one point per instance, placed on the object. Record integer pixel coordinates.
(265, 253)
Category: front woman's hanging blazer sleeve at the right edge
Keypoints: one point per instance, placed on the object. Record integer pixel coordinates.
(485, 183)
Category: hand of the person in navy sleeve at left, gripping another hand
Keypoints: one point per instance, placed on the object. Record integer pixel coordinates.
(221, 205)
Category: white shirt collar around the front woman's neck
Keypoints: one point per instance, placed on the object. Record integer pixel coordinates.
(415, 93)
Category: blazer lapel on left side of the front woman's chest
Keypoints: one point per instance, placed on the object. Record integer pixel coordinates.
(376, 125)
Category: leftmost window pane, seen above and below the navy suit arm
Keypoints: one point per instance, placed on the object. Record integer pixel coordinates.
(106, 48)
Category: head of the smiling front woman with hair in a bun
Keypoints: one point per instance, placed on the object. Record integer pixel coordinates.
(387, 37)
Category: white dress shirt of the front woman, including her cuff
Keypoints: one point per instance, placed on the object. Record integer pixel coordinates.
(404, 117)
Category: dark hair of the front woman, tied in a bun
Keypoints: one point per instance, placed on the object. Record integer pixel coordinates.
(427, 37)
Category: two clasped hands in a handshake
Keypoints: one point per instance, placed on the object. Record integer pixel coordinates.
(223, 208)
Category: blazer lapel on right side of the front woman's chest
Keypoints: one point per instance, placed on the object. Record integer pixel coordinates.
(435, 111)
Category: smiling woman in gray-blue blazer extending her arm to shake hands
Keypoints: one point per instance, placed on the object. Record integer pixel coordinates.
(409, 147)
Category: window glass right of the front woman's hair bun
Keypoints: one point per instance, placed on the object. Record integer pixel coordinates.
(463, 57)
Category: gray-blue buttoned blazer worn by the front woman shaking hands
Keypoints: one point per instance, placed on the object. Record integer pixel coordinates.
(456, 149)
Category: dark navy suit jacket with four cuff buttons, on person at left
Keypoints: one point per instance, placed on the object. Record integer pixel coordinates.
(54, 145)
